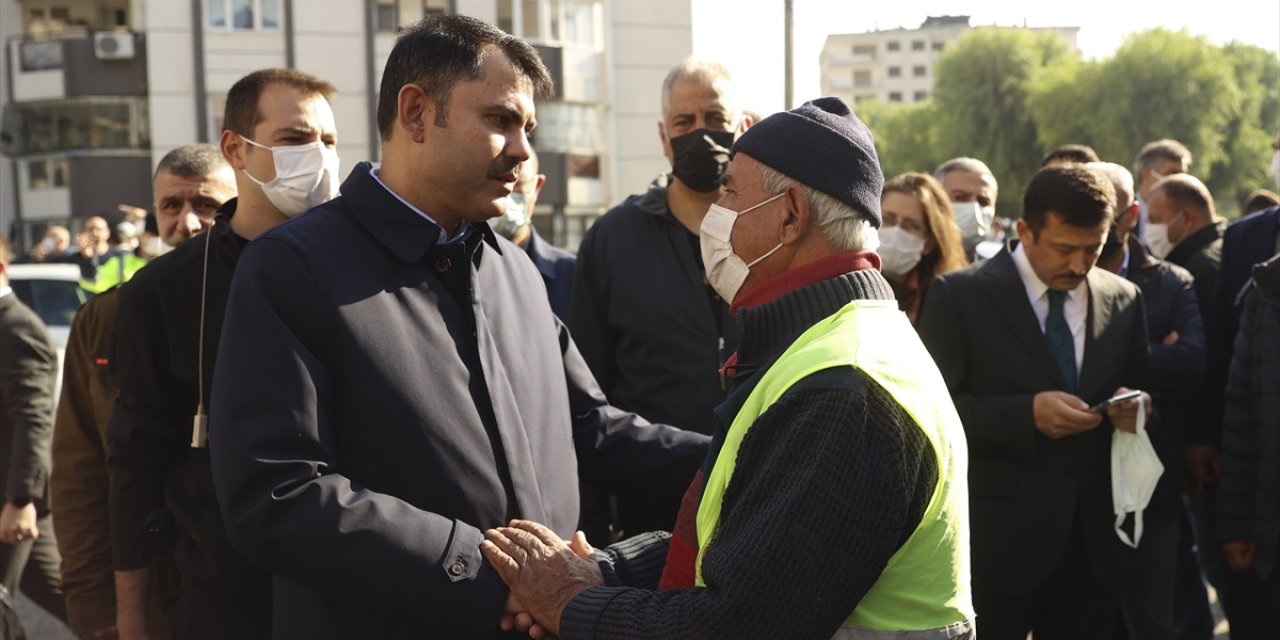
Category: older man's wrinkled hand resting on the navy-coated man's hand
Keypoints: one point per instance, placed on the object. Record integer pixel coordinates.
(543, 573)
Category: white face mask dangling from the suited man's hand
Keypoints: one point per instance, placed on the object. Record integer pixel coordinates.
(1136, 469)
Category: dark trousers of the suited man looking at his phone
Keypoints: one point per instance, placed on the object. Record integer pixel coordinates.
(1072, 606)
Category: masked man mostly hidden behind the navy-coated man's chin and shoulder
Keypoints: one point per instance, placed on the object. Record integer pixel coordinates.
(516, 225)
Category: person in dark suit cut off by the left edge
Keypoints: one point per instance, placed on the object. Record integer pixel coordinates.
(29, 365)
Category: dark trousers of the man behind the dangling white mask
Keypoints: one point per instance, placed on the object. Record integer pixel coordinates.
(1148, 597)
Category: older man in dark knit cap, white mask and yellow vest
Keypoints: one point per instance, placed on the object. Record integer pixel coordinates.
(834, 500)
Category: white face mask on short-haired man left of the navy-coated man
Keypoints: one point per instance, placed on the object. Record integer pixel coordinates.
(305, 176)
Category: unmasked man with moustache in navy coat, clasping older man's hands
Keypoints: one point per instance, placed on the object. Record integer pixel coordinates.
(397, 382)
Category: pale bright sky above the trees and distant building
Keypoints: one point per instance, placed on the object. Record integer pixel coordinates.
(748, 35)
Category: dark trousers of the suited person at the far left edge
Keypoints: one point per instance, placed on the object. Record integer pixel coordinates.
(33, 568)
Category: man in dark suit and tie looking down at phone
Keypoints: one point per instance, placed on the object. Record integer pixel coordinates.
(1027, 342)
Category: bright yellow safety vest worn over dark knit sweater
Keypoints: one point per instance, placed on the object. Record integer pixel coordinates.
(926, 584)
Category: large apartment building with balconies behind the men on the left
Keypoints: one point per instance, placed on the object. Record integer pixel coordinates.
(97, 92)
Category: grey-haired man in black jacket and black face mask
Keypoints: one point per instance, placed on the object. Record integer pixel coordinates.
(651, 328)
